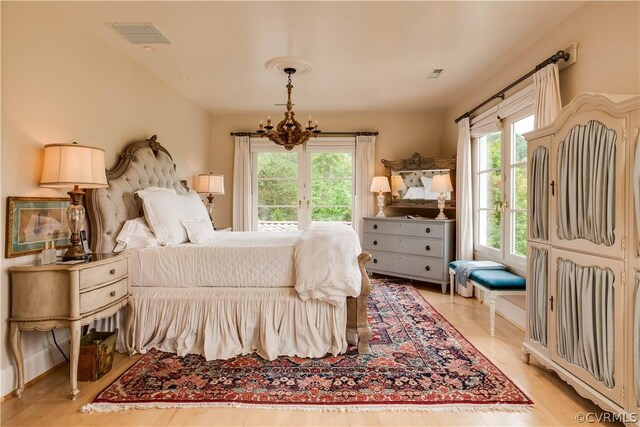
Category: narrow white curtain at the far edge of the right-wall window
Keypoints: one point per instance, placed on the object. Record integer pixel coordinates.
(464, 193)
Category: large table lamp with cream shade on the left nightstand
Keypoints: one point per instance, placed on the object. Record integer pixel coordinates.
(74, 165)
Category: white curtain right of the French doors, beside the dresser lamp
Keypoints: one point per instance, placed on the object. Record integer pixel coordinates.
(365, 171)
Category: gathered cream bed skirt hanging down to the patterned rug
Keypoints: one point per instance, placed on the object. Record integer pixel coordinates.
(222, 323)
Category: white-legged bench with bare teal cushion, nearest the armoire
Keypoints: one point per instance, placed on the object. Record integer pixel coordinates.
(493, 283)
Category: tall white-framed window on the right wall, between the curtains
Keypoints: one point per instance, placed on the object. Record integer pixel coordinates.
(500, 212)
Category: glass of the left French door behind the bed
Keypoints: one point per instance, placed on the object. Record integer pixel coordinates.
(277, 189)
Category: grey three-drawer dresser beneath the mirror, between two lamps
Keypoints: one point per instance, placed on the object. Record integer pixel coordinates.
(419, 249)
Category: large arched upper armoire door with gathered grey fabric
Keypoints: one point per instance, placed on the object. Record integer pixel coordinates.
(588, 174)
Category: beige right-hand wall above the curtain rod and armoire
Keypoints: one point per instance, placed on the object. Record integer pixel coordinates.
(608, 34)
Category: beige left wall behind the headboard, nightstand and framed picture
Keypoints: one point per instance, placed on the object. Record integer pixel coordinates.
(60, 83)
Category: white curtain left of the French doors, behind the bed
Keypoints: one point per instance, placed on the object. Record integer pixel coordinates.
(242, 184)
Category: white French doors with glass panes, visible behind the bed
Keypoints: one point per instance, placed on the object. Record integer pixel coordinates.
(311, 183)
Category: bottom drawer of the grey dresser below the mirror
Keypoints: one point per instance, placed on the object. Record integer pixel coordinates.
(412, 265)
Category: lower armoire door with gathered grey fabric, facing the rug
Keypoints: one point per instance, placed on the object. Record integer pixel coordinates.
(585, 329)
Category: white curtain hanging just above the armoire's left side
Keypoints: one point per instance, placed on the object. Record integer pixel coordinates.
(546, 95)
